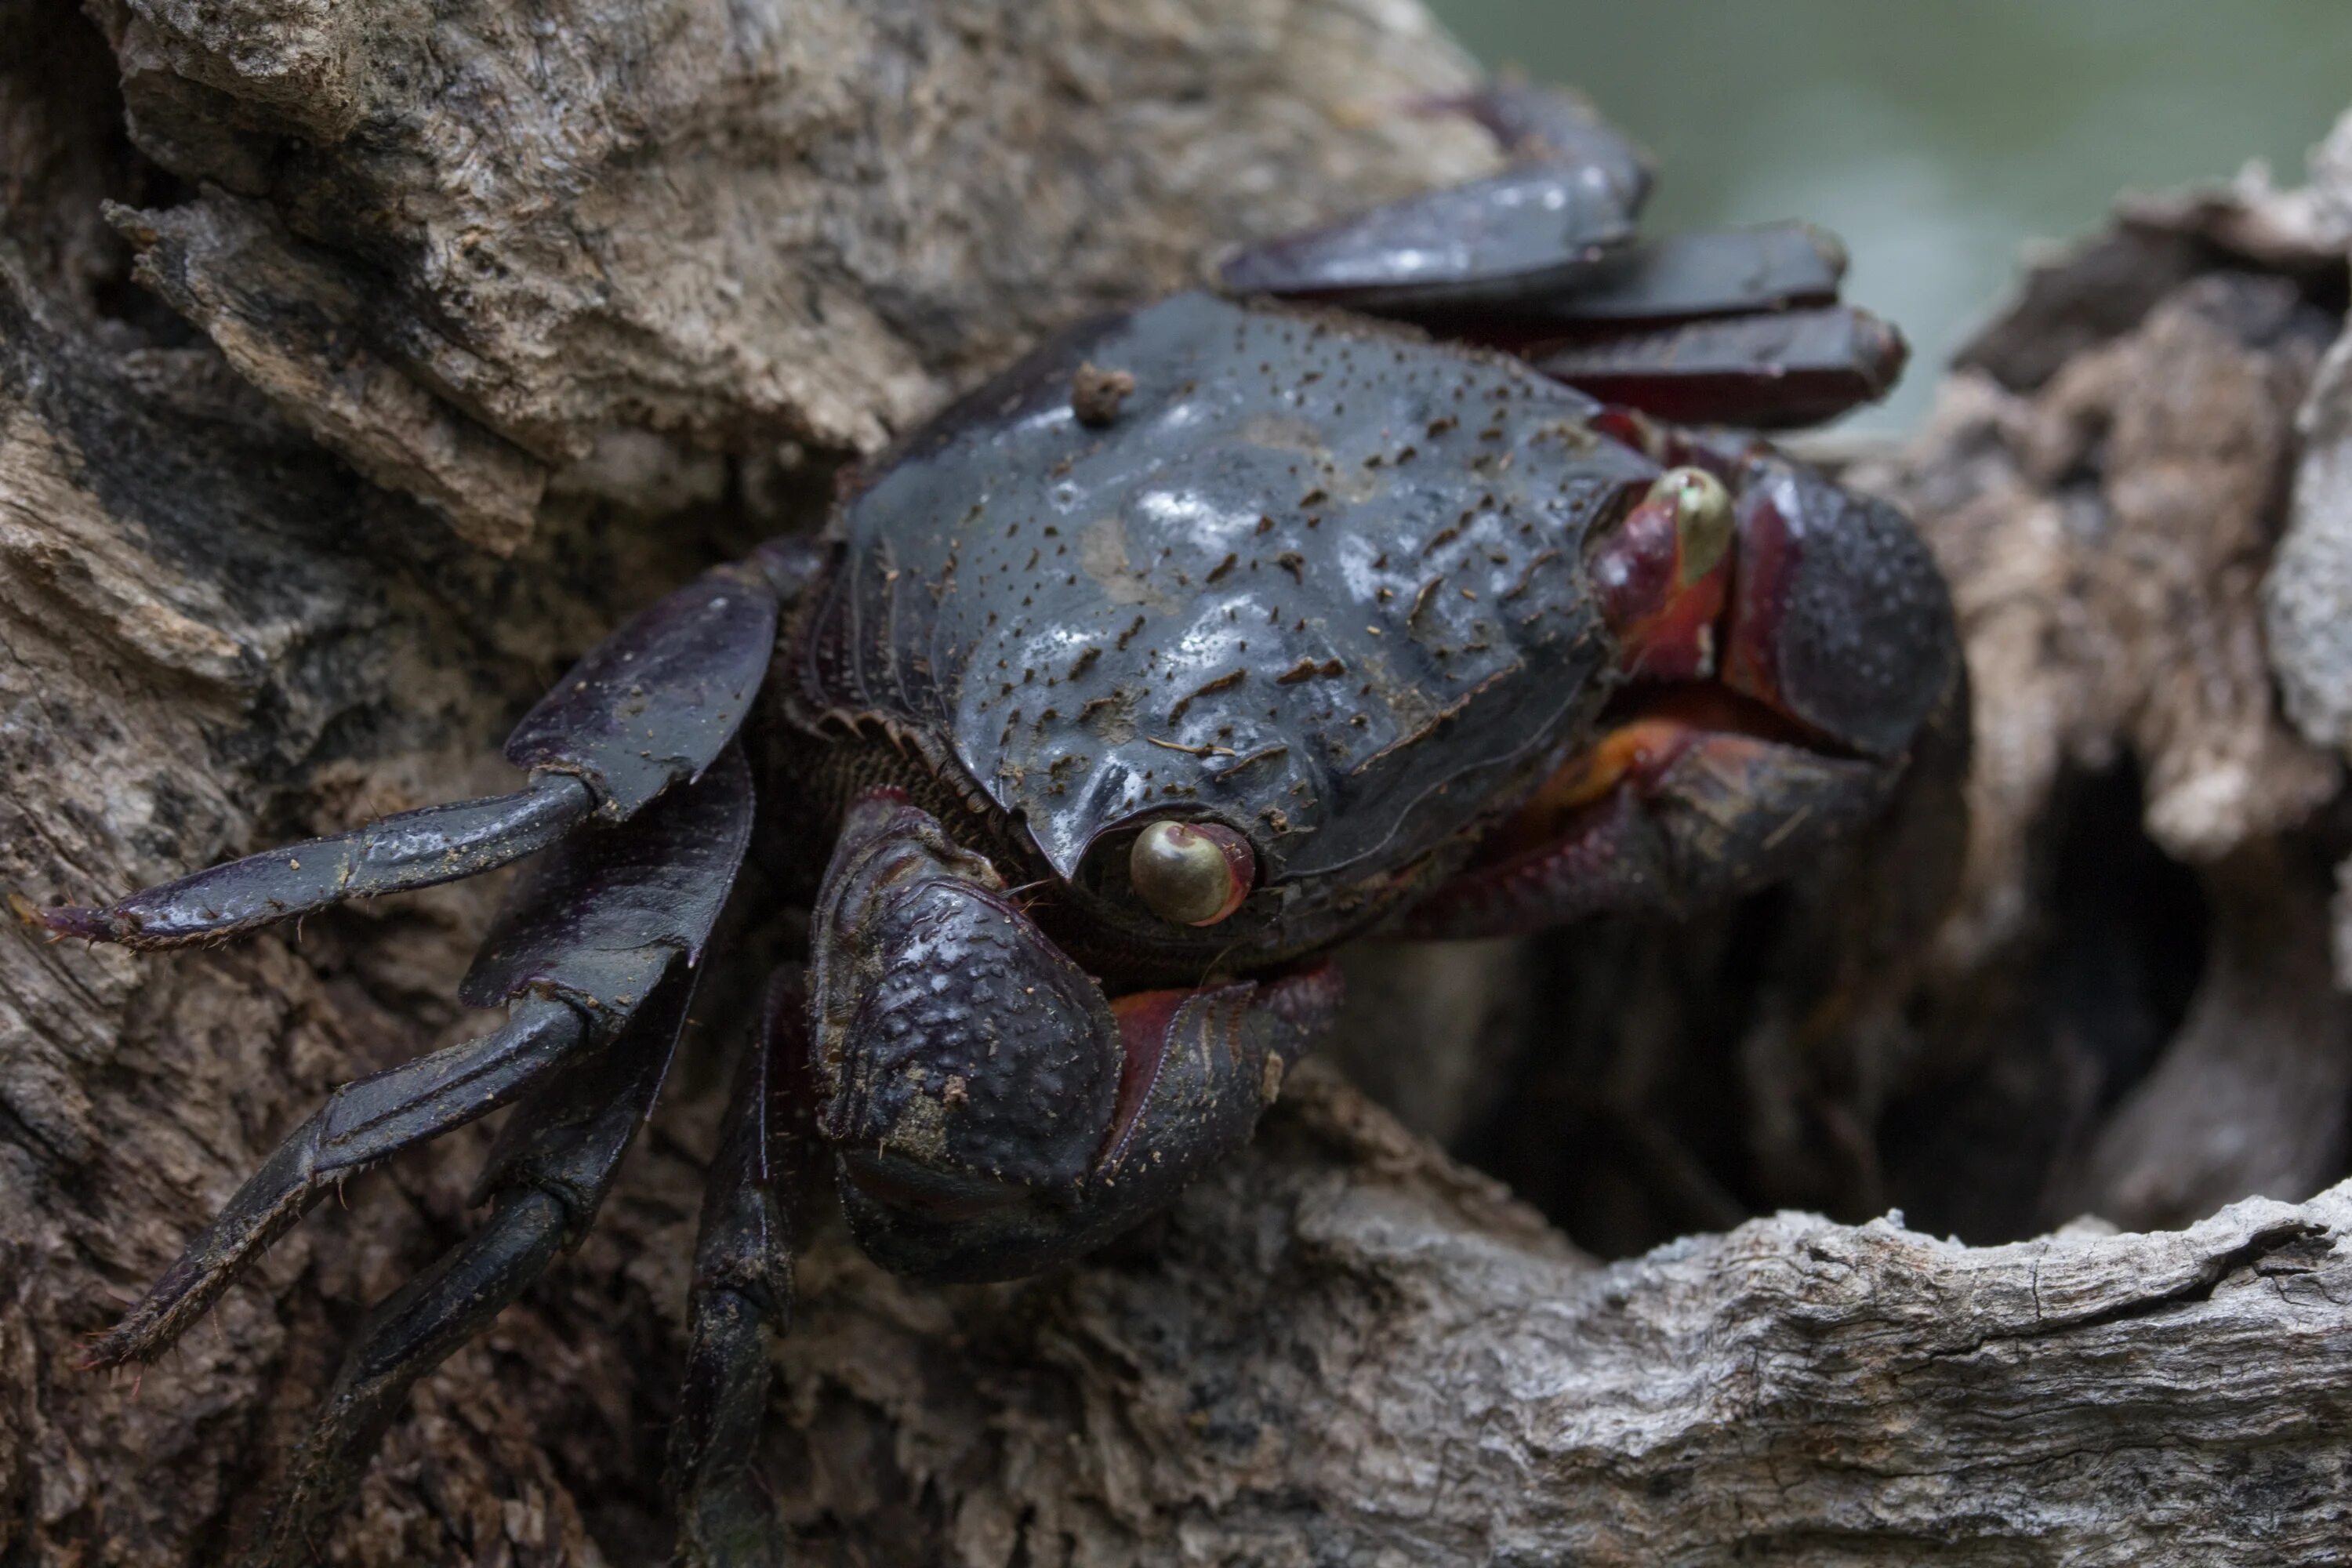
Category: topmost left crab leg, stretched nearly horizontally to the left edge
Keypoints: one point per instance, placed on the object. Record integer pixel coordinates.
(650, 706)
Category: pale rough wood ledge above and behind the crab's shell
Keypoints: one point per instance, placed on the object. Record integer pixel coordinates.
(469, 248)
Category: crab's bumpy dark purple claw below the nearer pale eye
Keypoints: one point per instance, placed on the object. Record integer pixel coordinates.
(994, 1108)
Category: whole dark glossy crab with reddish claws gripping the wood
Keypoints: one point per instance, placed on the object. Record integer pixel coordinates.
(1363, 596)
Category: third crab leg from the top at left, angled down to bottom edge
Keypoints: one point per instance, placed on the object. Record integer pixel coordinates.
(544, 1179)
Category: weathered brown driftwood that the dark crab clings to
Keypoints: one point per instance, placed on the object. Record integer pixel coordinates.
(392, 354)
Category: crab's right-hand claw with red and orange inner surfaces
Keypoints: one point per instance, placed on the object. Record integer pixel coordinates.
(1789, 650)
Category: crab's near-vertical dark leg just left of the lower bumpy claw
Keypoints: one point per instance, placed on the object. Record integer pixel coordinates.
(754, 1219)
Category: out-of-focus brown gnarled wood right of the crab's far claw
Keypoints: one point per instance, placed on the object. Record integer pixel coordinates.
(2111, 523)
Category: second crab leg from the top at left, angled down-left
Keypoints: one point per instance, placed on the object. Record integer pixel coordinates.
(577, 949)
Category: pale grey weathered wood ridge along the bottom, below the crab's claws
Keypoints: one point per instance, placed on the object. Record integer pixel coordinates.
(1267, 1383)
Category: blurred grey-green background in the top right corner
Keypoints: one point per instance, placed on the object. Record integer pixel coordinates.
(1937, 138)
